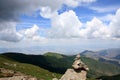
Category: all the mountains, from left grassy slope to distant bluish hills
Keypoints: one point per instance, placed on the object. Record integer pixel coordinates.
(53, 64)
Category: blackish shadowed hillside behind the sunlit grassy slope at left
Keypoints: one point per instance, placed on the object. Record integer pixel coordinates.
(38, 60)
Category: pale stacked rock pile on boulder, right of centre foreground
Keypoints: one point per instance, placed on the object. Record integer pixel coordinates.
(78, 72)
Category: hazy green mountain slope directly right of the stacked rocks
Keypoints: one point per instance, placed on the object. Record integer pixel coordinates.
(98, 68)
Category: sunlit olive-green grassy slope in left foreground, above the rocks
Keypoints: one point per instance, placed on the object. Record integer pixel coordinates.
(27, 69)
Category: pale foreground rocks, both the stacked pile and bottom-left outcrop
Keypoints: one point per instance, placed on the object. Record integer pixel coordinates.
(78, 72)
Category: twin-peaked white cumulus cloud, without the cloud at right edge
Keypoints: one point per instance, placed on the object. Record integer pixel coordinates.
(68, 25)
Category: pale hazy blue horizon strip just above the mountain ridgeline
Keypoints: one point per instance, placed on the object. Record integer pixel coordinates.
(42, 50)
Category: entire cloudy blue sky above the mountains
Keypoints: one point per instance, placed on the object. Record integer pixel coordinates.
(64, 26)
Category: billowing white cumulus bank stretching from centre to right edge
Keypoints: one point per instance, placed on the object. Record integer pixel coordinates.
(67, 25)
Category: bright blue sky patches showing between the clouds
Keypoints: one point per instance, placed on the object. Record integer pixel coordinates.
(84, 12)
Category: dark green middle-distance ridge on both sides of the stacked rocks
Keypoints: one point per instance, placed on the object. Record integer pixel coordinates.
(58, 63)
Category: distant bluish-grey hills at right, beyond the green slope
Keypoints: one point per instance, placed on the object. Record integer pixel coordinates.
(108, 55)
